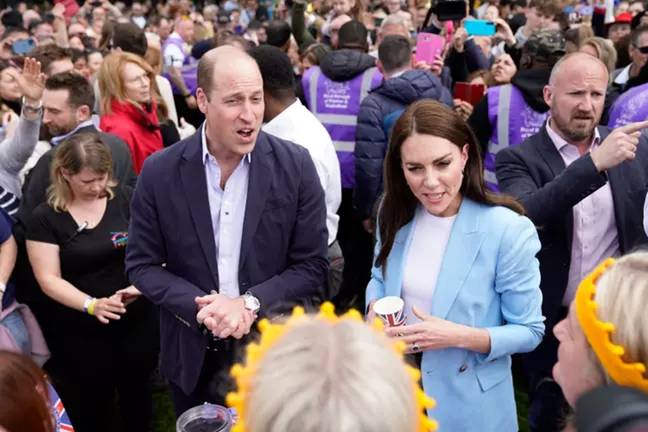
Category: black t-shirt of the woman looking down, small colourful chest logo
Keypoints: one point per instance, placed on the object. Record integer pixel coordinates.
(93, 261)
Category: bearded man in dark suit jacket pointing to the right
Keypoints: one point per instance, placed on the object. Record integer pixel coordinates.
(582, 185)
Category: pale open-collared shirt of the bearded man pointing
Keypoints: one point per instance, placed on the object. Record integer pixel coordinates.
(595, 237)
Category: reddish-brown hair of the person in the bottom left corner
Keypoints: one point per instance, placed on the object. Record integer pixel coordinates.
(24, 395)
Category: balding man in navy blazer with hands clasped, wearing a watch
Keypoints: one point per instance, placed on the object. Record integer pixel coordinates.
(226, 225)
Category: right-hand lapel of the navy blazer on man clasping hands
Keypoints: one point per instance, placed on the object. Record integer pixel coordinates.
(258, 192)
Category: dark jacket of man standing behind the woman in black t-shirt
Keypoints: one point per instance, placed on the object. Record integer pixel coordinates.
(38, 179)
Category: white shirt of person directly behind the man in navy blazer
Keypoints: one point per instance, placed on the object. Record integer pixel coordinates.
(297, 124)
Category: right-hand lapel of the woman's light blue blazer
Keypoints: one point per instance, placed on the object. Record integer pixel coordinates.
(462, 249)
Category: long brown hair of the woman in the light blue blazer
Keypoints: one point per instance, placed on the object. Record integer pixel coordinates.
(399, 203)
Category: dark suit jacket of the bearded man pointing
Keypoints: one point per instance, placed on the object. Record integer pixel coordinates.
(535, 174)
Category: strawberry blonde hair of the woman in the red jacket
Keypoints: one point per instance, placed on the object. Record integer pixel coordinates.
(111, 84)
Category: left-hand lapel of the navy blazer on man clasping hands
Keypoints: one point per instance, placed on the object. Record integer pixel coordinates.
(194, 183)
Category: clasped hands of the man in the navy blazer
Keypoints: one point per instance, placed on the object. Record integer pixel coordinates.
(224, 316)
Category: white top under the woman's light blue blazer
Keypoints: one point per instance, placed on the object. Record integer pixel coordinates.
(423, 263)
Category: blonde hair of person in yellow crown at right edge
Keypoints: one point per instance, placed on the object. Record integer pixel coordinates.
(622, 295)
